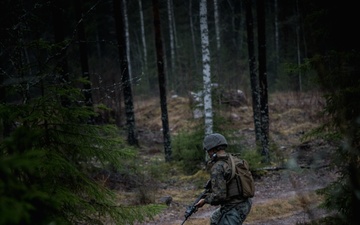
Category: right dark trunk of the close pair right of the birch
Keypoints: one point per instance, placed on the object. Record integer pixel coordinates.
(264, 106)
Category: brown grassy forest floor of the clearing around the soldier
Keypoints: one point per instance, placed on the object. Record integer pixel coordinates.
(284, 194)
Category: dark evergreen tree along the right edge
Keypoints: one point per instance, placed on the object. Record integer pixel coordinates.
(335, 58)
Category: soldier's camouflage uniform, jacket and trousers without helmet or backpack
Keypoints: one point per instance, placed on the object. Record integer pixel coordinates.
(233, 209)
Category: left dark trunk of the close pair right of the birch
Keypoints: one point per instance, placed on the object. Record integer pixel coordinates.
(252, 67)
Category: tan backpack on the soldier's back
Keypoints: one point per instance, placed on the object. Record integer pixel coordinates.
(241, 172)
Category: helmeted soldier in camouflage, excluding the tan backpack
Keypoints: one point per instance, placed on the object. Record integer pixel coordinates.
(234, 208)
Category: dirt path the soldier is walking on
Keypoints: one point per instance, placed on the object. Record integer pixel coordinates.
(277, 187)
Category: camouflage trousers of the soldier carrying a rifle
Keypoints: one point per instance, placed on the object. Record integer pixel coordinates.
(231, 214)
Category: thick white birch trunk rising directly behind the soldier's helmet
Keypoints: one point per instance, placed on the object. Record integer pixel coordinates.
(206, 68)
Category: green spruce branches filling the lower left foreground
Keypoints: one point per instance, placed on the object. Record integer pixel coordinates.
(47, 160)
